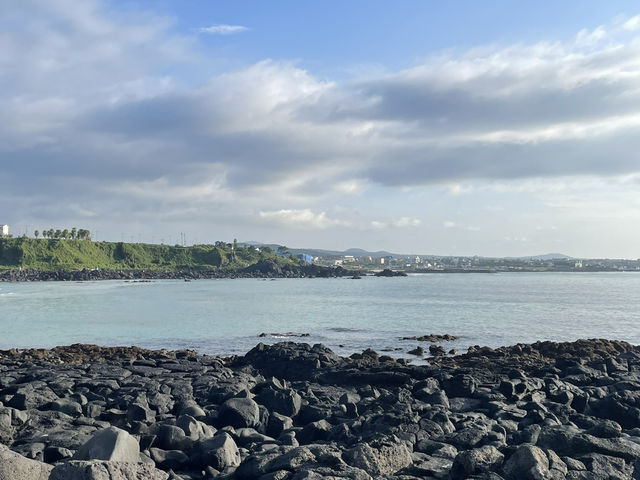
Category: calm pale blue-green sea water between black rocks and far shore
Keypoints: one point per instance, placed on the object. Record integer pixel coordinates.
(226, 316)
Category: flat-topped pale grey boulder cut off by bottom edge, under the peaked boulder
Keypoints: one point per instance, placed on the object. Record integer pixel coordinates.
(100, 470)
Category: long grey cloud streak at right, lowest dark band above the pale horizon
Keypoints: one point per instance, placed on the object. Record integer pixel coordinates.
(595, 156)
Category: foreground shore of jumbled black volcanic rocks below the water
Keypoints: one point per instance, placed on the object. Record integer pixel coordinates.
(294, 411)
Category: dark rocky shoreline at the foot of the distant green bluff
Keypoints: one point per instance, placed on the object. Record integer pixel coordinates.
(265, 269)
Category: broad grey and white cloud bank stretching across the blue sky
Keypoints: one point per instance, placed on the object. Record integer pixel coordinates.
(93, 117)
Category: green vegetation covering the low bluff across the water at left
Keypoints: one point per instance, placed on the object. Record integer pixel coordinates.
(77, 254)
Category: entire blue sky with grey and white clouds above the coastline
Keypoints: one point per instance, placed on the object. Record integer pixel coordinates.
(449, 128)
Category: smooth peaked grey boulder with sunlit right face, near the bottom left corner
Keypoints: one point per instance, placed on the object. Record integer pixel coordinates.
(111, 444)
